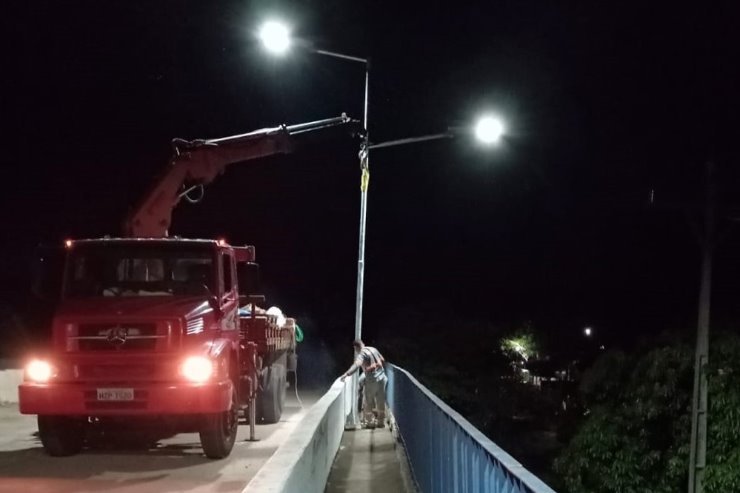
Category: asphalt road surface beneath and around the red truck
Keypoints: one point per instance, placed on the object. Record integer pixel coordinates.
(176, 464)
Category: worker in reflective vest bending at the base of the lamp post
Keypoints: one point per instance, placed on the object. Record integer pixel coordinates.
(371, 362)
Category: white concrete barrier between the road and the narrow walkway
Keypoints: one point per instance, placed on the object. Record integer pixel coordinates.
(303, 462)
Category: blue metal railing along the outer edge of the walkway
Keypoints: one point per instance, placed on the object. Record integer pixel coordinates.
(446, 453)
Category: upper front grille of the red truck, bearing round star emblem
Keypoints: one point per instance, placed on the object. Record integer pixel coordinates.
(117, 337)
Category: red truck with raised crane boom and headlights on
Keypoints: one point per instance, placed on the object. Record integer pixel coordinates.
(161, 333)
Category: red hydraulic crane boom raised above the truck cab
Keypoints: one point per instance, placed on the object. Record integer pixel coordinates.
(198, 162)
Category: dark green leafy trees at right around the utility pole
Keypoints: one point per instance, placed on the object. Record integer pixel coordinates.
(635, 434)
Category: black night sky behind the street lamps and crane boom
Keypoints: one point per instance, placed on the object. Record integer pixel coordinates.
(604, 102)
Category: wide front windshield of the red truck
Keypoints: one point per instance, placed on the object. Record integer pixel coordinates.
(139, 269)
